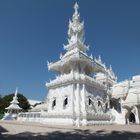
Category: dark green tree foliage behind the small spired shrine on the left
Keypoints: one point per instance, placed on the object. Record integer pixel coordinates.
(5, 102)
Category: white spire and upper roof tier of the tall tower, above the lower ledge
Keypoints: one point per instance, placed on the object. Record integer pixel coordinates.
(76, 50)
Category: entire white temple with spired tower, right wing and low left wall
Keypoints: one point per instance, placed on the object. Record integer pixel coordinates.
(85, 91)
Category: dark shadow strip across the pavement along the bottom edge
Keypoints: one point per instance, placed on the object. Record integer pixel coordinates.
(75, 134)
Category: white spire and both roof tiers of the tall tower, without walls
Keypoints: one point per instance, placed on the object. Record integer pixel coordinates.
(76, 55)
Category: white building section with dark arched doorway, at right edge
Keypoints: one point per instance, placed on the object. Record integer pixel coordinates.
(125, 100)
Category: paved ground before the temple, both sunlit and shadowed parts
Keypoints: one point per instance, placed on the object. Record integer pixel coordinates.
(10, 130)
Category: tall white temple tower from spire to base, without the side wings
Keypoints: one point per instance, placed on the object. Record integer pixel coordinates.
(77, 96)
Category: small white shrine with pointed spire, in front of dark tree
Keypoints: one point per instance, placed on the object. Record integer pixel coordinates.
(13, 109)
